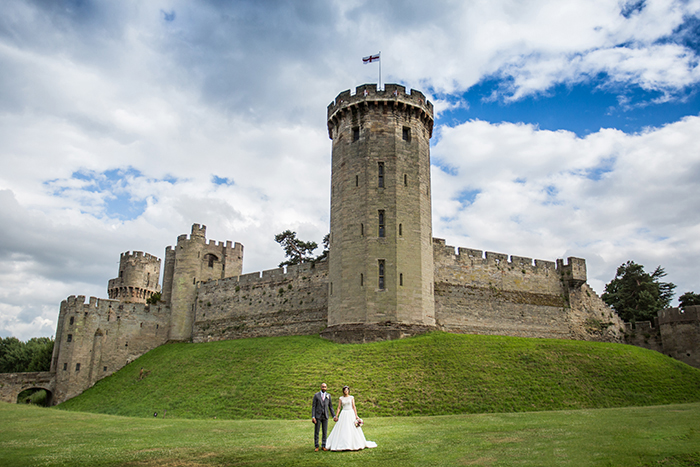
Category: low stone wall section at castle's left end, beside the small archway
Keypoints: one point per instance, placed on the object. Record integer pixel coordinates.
(95, 339)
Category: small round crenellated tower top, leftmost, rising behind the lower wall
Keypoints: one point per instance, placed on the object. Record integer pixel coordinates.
(138, 279)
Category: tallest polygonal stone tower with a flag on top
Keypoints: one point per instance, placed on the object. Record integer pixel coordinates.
(381, 258)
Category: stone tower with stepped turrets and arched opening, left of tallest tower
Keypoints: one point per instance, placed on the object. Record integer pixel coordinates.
(195, 260)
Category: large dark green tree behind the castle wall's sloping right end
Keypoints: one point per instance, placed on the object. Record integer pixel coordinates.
(637, 295)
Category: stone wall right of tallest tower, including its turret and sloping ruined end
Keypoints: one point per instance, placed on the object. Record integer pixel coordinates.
(493, 293)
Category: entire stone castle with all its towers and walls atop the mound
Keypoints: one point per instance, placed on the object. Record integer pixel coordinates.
(386, 277)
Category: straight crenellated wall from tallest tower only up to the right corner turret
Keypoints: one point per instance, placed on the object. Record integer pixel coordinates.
(488, 294)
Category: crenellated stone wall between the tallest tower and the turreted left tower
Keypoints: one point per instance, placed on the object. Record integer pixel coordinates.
(274, 304)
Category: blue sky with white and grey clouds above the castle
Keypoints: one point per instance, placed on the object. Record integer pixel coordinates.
(562, 128)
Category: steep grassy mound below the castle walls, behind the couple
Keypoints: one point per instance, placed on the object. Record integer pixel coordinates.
(433, 374)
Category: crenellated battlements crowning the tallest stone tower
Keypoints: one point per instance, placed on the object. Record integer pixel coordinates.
(393, 96)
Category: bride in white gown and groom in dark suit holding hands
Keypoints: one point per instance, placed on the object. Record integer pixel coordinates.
(347, 433)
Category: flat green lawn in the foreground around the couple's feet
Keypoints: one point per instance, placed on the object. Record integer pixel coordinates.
(633, 436)
